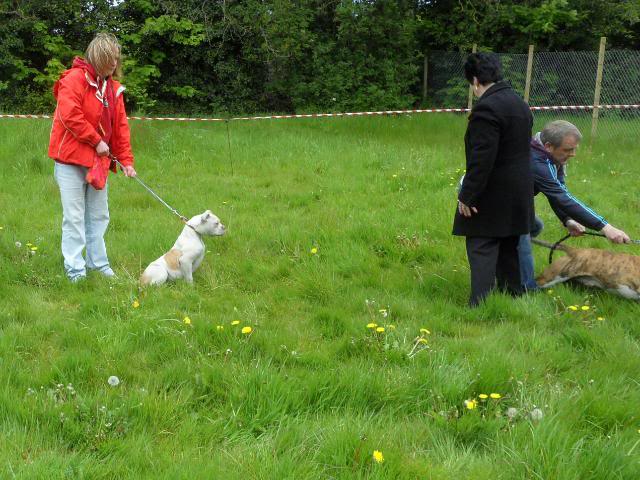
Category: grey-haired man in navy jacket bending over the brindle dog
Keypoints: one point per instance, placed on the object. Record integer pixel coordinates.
(551, 150)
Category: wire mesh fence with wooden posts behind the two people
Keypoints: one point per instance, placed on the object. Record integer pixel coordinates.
(556, 79)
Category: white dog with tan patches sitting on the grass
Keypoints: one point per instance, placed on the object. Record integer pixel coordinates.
(187, 253)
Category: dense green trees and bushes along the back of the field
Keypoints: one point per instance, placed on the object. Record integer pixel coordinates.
(246, 56)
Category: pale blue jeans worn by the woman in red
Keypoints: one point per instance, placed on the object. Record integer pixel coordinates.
(85, 216)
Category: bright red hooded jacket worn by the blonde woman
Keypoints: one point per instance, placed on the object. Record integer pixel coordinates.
(80, 114)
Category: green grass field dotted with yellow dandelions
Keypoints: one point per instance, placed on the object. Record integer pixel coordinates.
(311, 392)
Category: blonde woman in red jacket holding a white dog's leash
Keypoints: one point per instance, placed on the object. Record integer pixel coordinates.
(89, 123)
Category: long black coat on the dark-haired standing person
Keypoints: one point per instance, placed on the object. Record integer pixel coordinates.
(498, 181)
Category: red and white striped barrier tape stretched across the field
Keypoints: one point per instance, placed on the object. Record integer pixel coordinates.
(344, 114)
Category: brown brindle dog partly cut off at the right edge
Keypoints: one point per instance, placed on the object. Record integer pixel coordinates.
(614, 272)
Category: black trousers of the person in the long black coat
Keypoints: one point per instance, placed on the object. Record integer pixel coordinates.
(493, 260)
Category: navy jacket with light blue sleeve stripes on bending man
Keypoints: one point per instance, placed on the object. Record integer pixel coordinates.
(549, 179)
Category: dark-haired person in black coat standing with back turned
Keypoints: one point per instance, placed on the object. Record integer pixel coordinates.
(495, 201)
